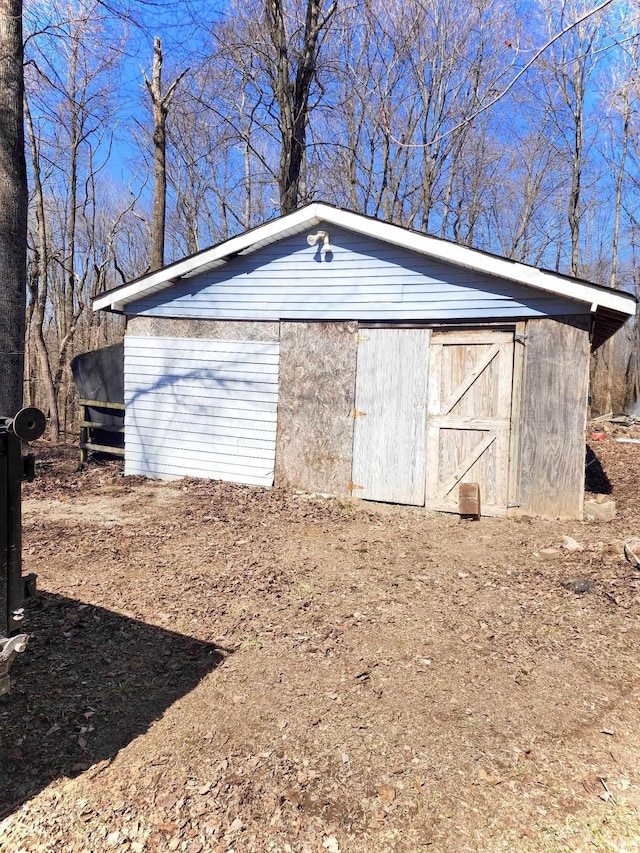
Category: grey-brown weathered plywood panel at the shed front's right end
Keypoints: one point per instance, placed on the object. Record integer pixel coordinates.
(553, 417)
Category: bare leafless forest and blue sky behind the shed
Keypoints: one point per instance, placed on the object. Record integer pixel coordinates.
(508, 126)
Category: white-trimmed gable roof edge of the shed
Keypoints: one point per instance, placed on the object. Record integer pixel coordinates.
(611, 308)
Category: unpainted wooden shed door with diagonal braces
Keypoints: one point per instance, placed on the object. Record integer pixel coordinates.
(469, 418)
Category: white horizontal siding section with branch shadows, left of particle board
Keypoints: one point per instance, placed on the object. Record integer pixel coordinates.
(201, 408)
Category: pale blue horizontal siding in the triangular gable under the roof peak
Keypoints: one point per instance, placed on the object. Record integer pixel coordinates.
(362, 278)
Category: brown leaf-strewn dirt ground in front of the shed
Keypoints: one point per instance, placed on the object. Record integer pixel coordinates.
(224, 668)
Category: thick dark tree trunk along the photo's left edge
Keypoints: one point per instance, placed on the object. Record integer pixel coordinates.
(13, 208)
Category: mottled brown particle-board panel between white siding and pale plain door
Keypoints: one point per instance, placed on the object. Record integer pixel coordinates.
(317, 392)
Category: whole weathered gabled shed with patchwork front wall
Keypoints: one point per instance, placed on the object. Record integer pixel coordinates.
(335, 353)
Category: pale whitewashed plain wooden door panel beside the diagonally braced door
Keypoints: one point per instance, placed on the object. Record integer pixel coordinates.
(389, 442)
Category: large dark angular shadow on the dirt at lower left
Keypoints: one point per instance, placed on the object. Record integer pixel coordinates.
(89, 683)
